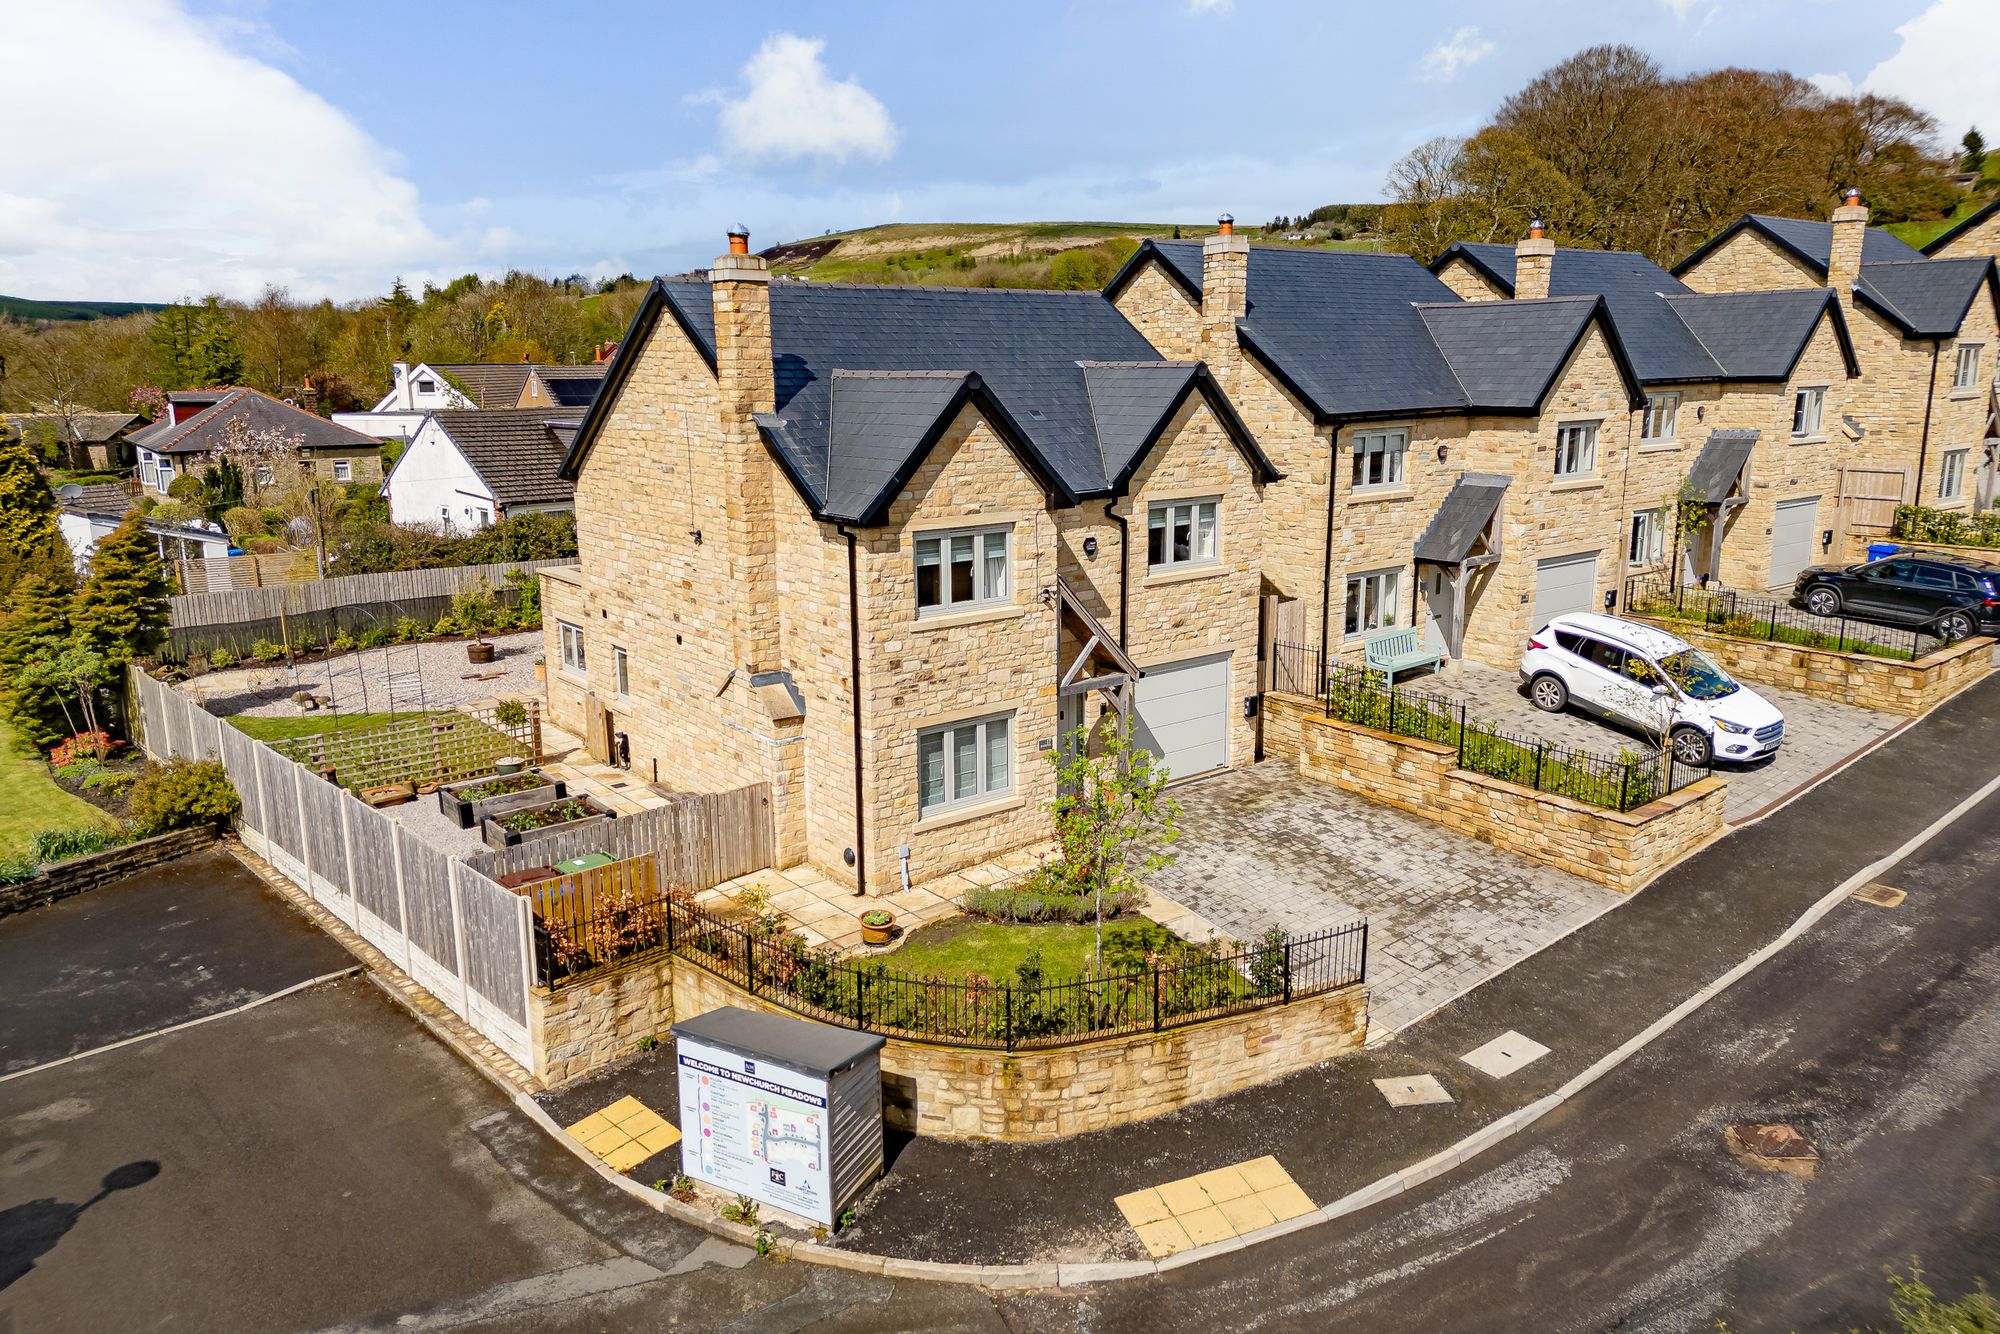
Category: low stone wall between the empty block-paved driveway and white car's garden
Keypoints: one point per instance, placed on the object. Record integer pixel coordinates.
(1621, 851)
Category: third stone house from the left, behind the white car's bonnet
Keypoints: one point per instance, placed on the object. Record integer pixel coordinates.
(1747, 405)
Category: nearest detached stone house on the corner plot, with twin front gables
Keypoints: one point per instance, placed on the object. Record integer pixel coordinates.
(887, 547)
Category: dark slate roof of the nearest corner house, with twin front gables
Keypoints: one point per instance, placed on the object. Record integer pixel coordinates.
(871, 377)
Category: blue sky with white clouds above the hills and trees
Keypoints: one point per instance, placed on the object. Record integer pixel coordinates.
(329, 147)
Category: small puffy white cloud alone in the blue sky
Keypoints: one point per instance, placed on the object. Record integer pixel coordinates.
(795, 109)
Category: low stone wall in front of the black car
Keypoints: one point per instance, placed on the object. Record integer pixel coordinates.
(1909, 689)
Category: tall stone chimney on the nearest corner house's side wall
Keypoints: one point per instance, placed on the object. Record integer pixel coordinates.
(739, 287)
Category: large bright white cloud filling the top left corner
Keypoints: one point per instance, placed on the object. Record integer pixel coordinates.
(207, 171)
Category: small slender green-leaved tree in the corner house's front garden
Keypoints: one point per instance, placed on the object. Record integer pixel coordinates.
(1115, 821)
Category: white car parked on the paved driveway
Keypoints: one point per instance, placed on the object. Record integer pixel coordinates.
(1651, 681)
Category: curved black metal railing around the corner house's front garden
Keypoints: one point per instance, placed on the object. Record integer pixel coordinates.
(1017, 1013)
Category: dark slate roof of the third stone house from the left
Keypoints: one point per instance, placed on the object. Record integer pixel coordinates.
(1669, 331)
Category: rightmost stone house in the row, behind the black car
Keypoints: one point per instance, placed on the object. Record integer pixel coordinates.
(1927, 333)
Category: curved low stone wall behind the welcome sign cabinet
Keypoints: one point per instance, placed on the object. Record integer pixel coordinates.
(1045, 1095)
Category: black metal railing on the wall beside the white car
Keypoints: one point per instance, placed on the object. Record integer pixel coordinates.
(1625, 781)
